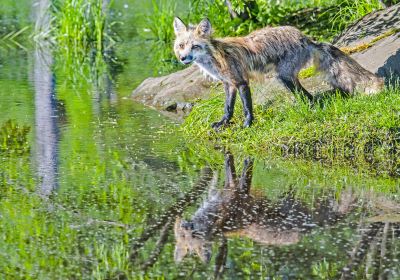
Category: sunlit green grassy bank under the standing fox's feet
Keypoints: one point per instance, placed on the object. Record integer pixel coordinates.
(361, 129)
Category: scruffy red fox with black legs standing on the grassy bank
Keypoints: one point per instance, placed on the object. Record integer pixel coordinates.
(284, 49)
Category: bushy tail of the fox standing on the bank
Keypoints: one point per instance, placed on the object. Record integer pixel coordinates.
(343, 72)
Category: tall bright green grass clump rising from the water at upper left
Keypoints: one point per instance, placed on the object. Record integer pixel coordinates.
(80, 35)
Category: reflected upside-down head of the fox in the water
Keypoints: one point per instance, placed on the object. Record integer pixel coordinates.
(188, 240)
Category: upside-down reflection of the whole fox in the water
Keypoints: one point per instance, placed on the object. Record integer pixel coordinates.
(235, 211)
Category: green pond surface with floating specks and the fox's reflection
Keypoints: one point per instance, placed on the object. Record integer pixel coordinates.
(95, 186)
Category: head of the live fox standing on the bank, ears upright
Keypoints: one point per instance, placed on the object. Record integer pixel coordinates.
(191, 41)
